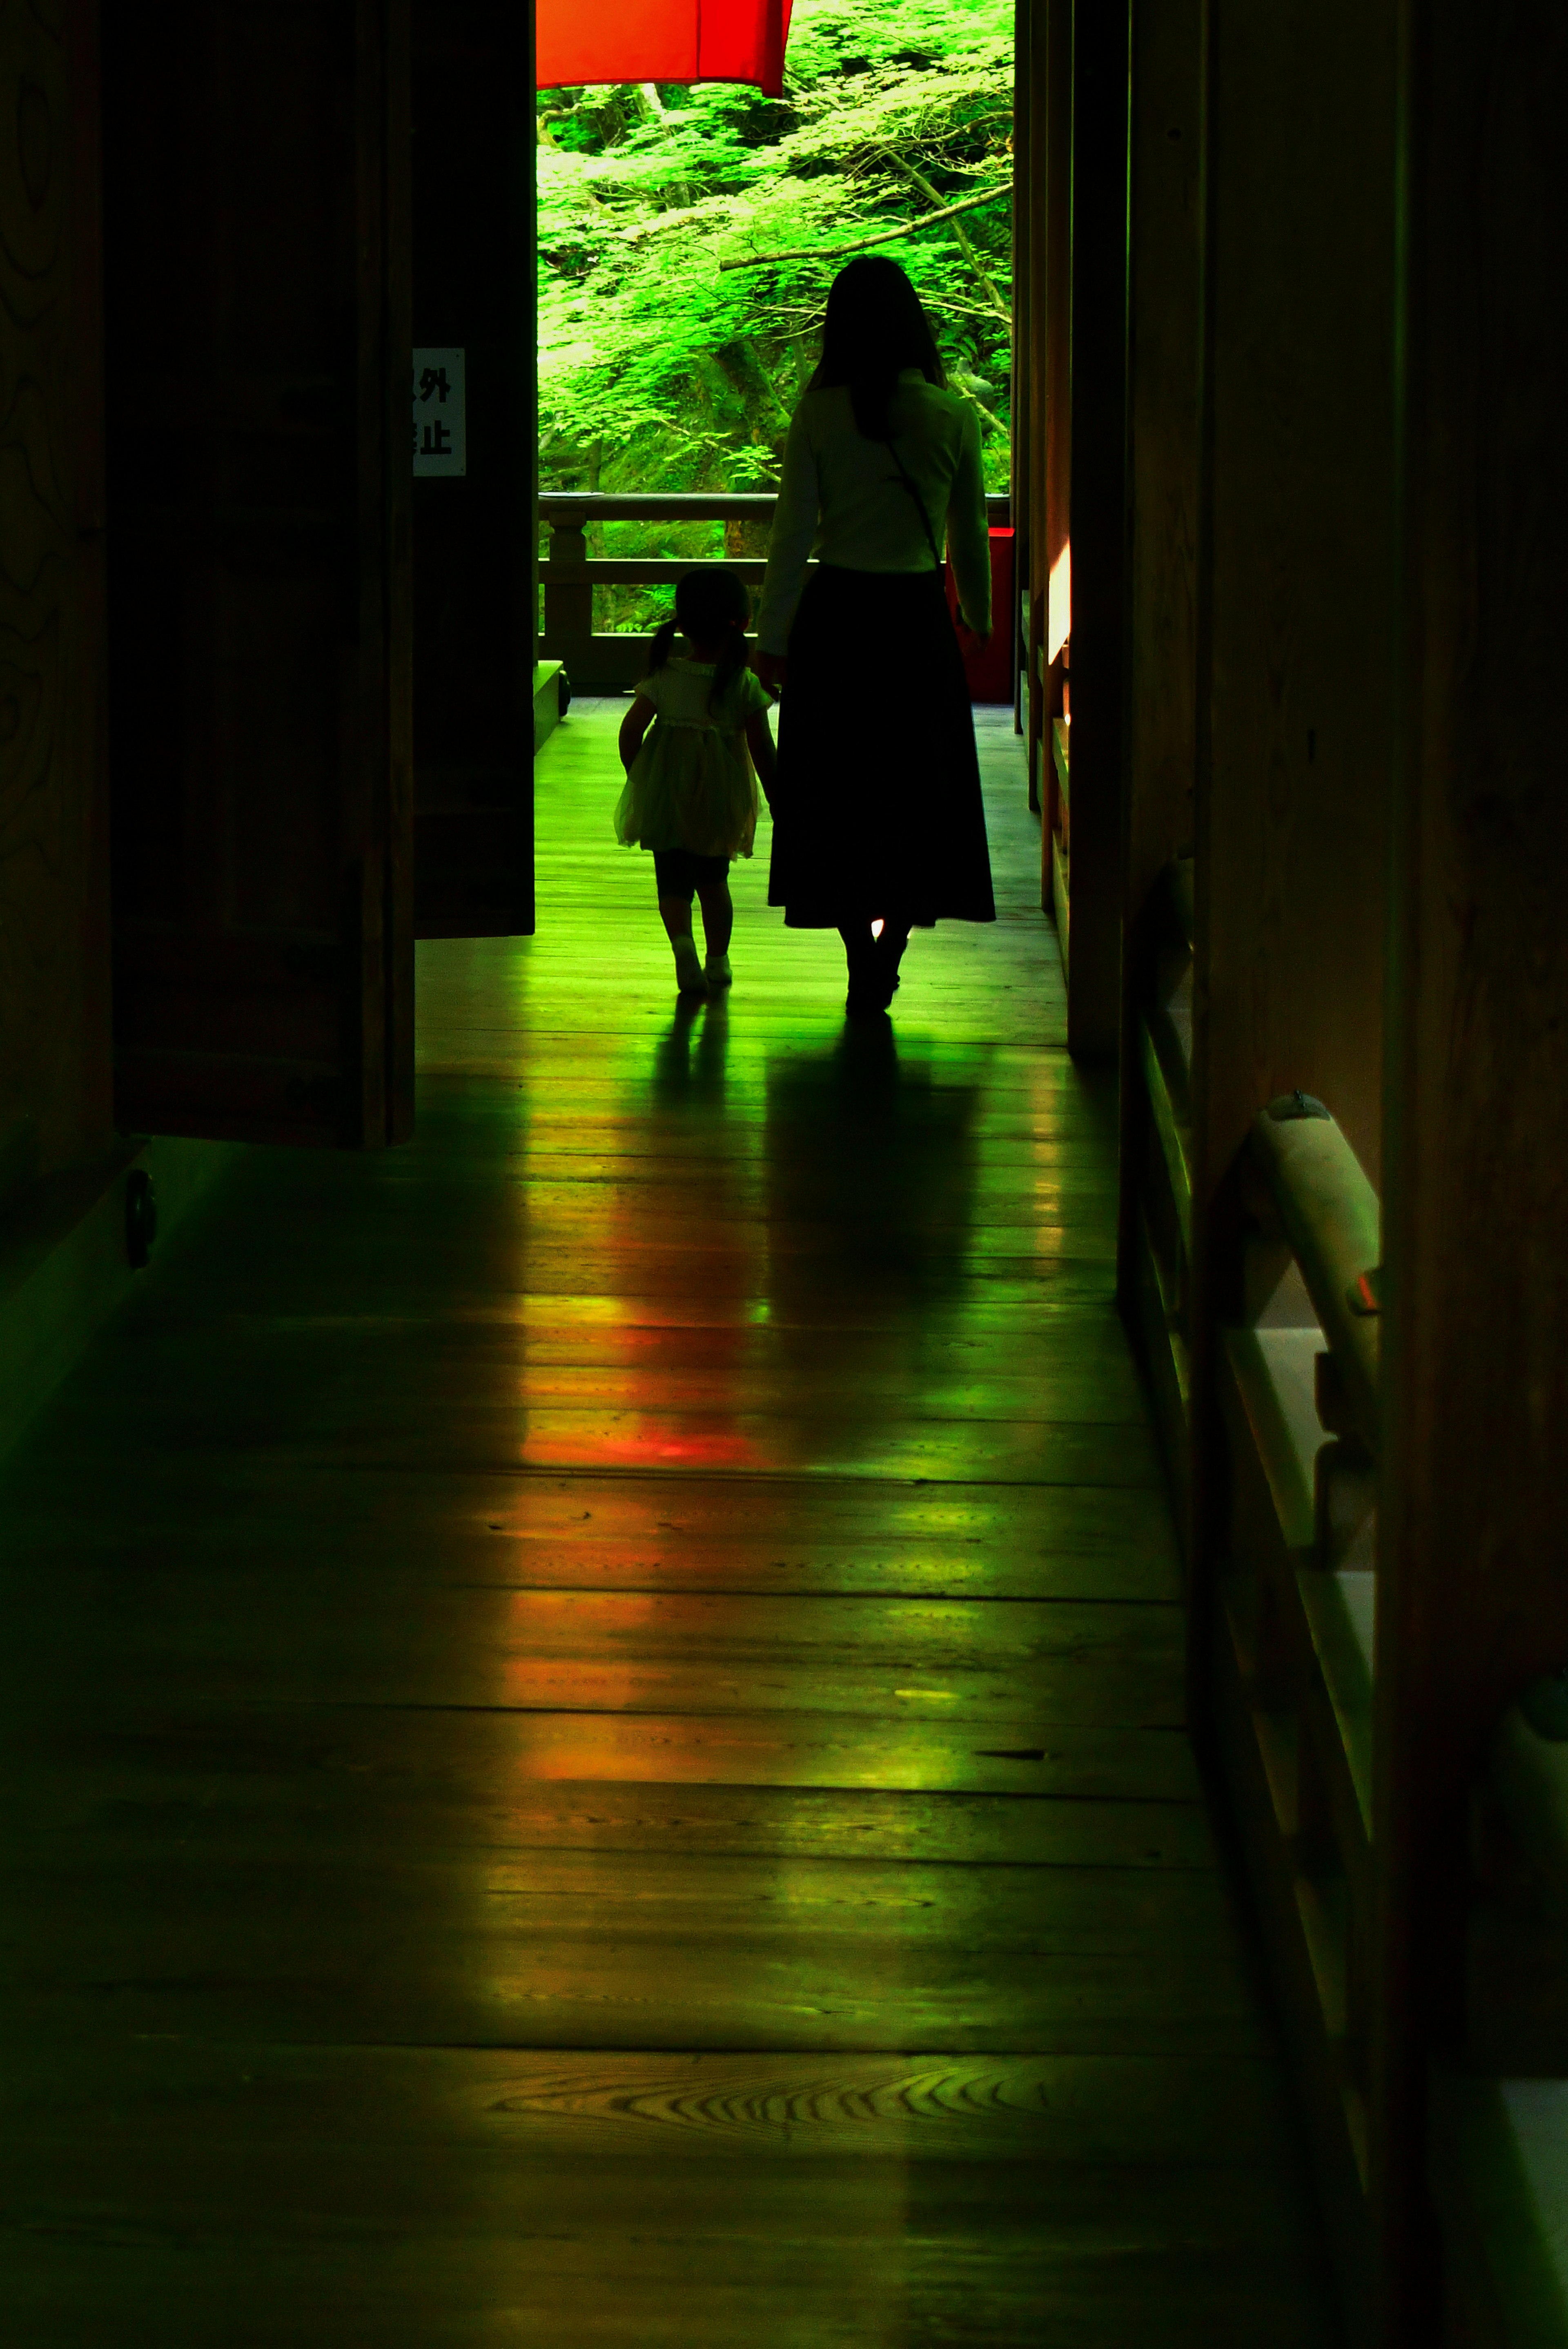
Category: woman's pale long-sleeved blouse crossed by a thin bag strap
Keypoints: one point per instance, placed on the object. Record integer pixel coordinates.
(842, 499)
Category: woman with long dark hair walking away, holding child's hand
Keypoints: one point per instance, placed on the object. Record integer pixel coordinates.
(879, 809)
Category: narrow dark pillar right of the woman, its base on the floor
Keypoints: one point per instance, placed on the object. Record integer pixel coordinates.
(1097, 518)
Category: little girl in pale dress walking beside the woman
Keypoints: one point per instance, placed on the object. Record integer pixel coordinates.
(691, 788)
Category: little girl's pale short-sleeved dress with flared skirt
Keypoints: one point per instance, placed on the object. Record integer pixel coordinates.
(691, 783)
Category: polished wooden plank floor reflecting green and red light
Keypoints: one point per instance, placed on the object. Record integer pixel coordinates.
(593, 1707)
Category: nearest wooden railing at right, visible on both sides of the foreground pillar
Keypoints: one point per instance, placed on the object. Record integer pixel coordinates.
(1297, 1669)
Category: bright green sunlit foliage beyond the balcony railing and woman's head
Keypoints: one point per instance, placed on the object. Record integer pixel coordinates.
(663, 363)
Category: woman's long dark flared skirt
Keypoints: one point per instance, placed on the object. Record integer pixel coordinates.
(877, 814)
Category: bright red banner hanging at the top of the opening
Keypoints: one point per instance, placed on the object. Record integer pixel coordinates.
(663, 41)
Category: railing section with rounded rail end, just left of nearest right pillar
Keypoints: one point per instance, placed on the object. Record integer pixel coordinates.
(1297, 1603)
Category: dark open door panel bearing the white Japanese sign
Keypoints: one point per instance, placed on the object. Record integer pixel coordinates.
(475, 523)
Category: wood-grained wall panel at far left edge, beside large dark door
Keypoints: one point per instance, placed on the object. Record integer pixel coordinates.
(55, 1101)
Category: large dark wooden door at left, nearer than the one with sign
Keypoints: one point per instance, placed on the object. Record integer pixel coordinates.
(257, 335)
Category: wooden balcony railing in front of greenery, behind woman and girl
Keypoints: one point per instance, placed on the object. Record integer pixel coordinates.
(607, 661)
